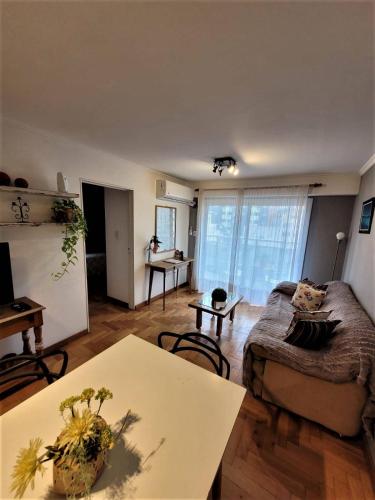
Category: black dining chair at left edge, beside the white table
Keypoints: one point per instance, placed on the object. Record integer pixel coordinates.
(26, 369)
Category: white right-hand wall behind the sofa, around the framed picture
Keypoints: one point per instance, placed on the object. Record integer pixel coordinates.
(359, 268)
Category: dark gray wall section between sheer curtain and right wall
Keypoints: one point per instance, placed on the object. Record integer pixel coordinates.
(329, 215)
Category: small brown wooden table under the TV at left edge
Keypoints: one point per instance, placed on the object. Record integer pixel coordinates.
(12, 322)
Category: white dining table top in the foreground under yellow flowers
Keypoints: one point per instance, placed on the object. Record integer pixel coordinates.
(182, 418)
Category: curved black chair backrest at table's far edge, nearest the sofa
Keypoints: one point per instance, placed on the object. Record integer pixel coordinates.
(199, 343)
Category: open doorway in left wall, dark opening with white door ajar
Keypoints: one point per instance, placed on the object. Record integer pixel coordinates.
(109, 244)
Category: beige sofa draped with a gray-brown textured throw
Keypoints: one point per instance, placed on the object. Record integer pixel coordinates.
(304, 388)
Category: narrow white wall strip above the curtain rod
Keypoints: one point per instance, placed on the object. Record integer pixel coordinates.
(333, 184)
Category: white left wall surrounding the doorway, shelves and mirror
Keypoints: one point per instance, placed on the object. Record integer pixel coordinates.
(38, 156)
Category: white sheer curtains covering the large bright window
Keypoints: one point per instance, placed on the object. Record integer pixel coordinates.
(249, 240)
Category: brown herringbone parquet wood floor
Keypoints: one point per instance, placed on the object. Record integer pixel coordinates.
(271, 453)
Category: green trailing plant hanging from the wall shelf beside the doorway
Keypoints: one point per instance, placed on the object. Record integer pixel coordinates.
(68, 212)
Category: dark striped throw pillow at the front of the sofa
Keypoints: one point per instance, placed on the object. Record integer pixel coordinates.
(311, 334)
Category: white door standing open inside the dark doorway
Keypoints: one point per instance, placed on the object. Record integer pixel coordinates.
(119, 253)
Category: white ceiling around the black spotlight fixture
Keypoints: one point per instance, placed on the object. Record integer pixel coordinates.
(283, 87)
